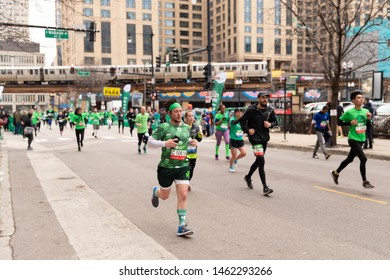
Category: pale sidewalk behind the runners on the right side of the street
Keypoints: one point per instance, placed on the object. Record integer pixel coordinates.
(305, 142)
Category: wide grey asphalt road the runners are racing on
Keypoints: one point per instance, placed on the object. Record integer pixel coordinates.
(93, 204)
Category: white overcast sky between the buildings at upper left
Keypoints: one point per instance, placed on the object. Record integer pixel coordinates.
(42, 12)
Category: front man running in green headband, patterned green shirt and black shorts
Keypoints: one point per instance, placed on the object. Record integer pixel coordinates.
(173, 138)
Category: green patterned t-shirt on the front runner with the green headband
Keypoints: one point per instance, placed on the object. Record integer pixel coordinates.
(173, 158)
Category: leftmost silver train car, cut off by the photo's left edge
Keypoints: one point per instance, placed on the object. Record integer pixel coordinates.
(20, 75)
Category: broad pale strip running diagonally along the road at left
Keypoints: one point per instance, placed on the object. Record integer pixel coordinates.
(95, 228)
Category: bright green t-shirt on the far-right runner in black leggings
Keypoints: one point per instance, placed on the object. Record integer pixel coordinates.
(357, 132)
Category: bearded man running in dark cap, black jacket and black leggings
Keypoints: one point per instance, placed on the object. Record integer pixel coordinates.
(256, 122)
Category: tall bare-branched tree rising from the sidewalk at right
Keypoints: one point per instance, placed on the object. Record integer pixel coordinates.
(340, 30)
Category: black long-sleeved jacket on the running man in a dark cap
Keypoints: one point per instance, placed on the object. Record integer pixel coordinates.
(254, 118)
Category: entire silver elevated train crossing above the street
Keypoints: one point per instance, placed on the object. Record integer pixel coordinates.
(247, 71)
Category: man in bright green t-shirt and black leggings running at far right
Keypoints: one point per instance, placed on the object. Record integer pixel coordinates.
(356, 118)
